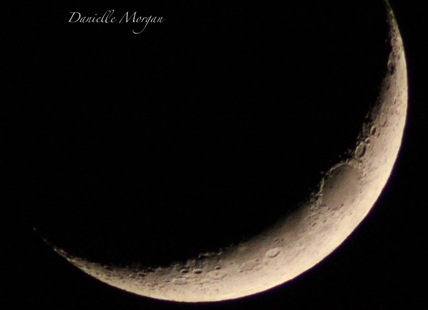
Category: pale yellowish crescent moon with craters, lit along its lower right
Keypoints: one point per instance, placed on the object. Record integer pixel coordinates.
(300, 240)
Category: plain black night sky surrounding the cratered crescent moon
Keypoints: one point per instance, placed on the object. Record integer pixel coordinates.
(196, 134)
